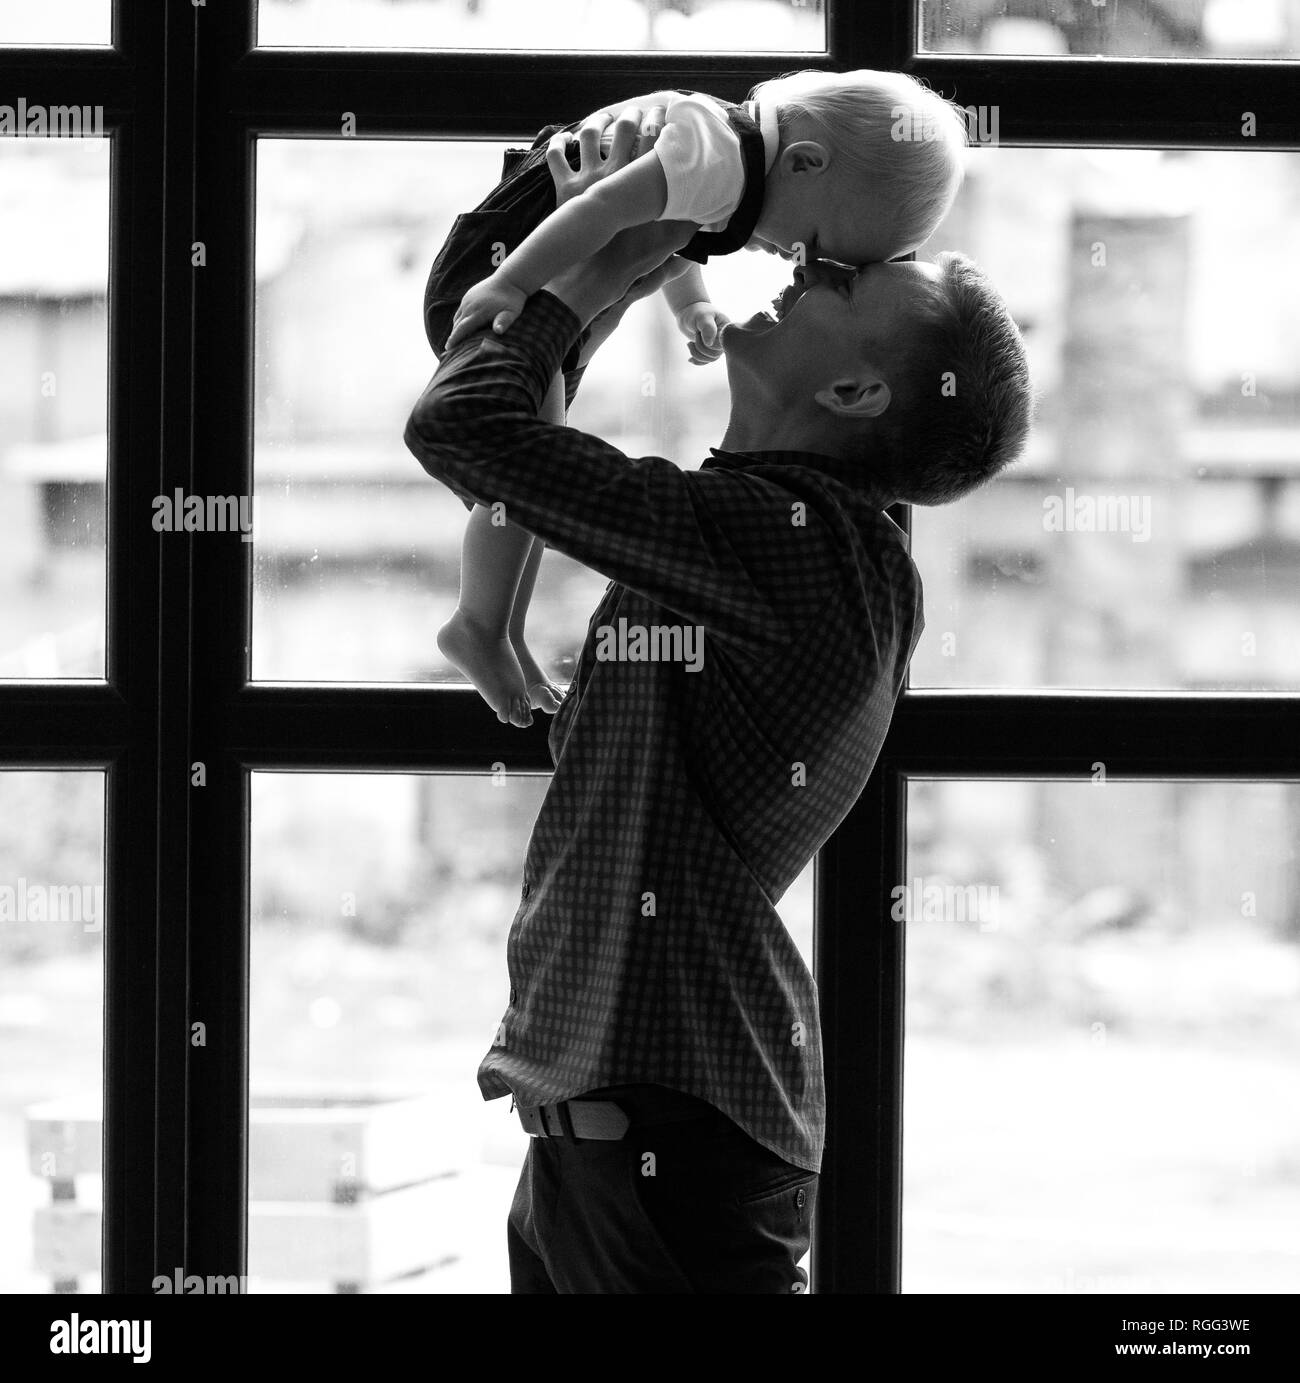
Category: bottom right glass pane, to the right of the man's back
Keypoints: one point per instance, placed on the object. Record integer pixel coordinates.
(1103, 1039)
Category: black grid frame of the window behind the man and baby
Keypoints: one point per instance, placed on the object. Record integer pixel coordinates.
(186, 93)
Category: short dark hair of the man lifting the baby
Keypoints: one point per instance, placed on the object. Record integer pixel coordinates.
(962, 402)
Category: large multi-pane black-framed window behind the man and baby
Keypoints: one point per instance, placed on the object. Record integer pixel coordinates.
(245, 185)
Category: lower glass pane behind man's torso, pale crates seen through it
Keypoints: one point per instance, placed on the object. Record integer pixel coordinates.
(381, 907)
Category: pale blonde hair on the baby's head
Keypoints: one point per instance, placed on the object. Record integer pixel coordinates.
(889, 128)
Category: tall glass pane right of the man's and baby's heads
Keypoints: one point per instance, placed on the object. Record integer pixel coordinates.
(1151, 535)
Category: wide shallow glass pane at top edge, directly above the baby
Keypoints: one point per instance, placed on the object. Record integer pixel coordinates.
(565, 26)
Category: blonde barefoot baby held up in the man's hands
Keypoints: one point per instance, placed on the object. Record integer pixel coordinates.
(855, 167)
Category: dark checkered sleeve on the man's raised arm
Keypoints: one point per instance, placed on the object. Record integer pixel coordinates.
(717, 547)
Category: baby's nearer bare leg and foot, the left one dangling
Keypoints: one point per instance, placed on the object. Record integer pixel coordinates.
(476, 640)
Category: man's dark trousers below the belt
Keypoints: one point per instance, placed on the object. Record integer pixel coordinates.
(695, 1207)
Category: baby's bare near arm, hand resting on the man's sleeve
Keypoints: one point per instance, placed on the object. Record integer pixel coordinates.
(577, 230)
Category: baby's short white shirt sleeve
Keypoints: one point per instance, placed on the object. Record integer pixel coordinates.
(703, 164)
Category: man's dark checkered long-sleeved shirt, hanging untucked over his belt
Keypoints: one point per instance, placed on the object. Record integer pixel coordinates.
(648, 945)
